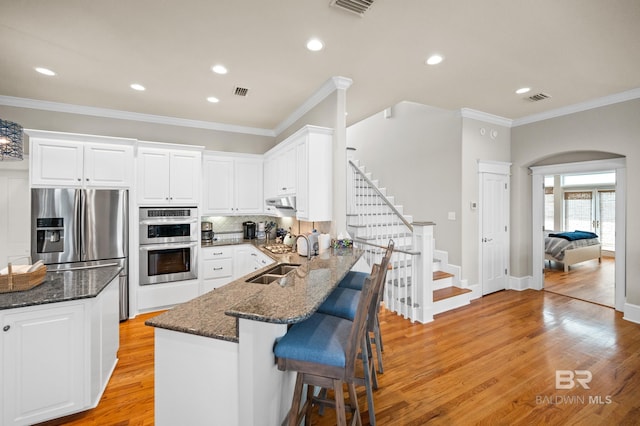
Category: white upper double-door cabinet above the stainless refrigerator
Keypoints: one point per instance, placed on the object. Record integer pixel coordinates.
(77, 163)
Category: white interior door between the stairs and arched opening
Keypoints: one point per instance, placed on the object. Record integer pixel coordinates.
(494, 232)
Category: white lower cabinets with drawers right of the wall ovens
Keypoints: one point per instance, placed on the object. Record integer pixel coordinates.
(223, 264)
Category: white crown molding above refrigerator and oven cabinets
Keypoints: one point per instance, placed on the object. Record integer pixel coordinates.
(133, 116)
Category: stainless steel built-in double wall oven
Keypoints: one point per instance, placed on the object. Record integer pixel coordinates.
(168, 244)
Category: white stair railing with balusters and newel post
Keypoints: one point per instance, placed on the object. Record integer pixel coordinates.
(408, 290)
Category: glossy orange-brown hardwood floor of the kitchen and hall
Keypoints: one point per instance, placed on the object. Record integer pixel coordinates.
(492, 362)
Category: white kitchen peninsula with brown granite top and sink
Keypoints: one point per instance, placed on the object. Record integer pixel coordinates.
(214, 361)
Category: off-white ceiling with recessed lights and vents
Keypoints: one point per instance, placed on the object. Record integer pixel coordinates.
(573, 50)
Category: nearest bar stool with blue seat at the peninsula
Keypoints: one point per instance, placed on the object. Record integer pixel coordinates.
(323, 350)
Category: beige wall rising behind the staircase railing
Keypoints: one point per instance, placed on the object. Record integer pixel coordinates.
(415, 154)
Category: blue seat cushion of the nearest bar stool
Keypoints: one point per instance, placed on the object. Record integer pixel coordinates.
(320, 338)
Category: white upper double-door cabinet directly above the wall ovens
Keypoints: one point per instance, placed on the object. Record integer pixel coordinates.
(168, 176)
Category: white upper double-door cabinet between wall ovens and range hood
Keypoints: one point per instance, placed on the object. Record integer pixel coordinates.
(233, 185)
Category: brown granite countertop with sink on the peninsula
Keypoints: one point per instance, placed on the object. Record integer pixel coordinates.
(288, 300)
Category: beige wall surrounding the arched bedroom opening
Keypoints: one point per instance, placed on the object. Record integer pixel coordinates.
(614, 129)
